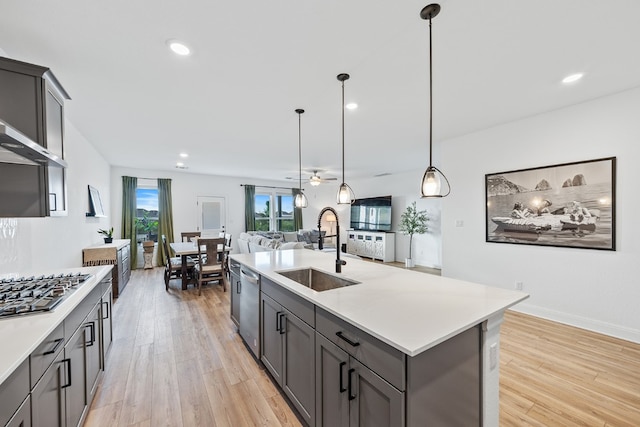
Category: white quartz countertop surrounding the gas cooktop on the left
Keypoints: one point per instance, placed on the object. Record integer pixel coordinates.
(21, 335)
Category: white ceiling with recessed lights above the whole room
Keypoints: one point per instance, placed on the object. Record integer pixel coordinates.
(231, 104)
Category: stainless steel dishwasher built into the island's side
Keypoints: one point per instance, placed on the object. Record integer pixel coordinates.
(250, 309)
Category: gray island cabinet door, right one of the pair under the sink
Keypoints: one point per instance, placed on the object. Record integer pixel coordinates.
(298, 376)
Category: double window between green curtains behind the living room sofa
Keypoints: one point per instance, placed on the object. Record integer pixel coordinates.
(274, 212)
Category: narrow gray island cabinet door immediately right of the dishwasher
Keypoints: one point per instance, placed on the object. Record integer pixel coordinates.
(272, 331)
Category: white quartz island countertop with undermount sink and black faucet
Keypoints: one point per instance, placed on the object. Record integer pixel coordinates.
(408, 310)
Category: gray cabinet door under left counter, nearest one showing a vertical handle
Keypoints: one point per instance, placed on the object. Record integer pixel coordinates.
(47, 397)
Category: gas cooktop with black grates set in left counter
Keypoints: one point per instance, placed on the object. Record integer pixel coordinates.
(36, 294)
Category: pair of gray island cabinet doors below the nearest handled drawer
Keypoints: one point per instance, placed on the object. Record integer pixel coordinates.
(350, 394)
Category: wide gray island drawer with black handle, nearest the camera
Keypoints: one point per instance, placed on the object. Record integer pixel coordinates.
(378, 356)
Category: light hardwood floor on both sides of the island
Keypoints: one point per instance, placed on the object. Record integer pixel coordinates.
(177, 360)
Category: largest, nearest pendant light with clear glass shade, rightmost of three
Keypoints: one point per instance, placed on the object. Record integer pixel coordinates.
(431, 186)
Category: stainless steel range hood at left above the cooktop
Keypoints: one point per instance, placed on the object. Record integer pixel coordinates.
(15, 147)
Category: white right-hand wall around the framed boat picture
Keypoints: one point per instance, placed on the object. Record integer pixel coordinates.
(593, 289)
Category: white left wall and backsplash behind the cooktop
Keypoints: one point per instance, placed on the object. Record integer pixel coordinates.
(32, 245)
